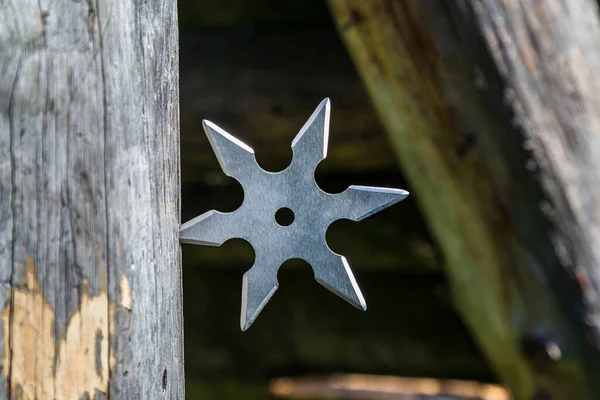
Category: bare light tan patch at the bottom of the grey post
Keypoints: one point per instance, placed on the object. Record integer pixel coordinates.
(81, 356)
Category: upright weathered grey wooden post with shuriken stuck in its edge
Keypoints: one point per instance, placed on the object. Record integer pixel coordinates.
(89, 192)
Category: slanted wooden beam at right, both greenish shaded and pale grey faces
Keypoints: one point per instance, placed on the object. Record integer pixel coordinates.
(512, 223)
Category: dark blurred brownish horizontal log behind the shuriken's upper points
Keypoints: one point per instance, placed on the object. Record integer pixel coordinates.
(263, 88)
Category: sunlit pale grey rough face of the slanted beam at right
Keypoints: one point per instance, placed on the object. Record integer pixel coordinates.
(547, 53)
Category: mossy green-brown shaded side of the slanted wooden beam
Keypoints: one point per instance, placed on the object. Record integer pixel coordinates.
(421, 80)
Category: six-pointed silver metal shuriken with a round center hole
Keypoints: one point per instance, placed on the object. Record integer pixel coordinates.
(295, 188)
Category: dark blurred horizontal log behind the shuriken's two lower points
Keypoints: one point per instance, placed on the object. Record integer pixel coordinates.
(410, 329)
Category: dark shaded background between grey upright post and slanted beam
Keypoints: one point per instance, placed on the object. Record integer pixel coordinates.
(258, 69)
